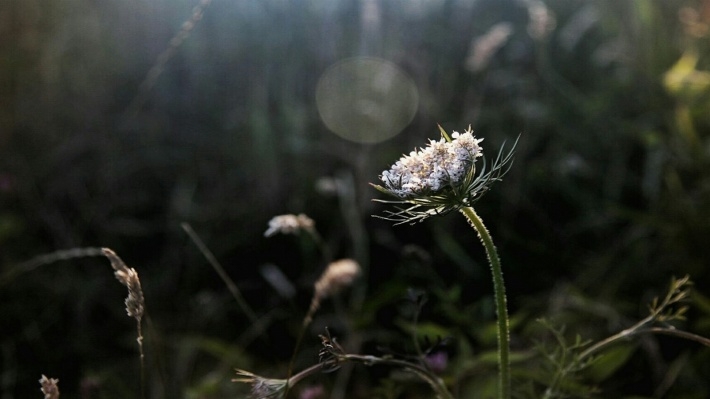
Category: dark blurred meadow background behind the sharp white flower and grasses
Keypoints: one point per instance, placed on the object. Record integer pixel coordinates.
(120, 120)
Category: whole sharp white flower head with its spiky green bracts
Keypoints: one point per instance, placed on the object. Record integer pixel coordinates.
(440, 178)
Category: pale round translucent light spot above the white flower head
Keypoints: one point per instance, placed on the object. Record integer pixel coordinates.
(366, 100)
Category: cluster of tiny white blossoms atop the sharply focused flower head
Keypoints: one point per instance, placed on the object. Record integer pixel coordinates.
(432, 169)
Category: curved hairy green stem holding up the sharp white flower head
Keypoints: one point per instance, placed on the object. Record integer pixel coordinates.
(501, 307)
